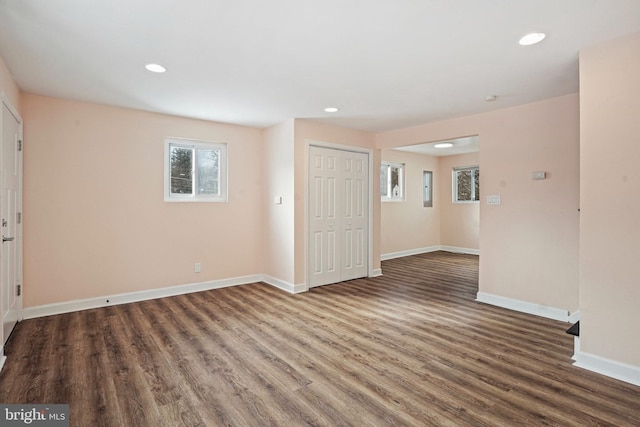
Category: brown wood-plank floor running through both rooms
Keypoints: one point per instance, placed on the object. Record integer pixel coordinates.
(409, 348)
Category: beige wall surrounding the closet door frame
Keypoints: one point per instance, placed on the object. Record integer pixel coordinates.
(306, 130)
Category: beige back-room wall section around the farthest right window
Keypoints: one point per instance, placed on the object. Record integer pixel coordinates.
(459, 222)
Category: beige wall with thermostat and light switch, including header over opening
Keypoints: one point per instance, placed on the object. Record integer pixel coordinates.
(529, 244)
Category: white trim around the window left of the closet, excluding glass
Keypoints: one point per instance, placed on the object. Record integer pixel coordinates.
(223, 184)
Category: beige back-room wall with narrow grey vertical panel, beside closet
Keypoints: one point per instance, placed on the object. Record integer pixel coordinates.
(408, 225)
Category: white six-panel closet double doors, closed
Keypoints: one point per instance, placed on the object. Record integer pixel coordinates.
(338, 215)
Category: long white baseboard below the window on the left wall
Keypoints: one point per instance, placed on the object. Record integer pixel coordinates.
(125, 298)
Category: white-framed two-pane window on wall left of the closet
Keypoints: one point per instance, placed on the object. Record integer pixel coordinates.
(195, 171)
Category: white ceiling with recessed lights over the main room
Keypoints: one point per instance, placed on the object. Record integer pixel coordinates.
(386, 64)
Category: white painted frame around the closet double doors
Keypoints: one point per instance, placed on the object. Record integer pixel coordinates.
(327, 145)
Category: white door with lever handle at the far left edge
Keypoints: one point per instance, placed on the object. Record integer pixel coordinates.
(10, 200)
